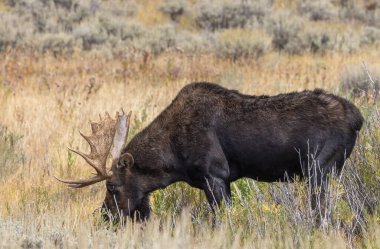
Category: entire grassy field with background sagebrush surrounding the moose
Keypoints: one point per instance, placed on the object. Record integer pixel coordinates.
(61, 66)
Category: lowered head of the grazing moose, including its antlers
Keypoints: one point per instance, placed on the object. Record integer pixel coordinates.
(123, 197)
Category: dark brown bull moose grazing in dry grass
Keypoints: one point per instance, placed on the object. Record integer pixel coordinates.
(210, 136)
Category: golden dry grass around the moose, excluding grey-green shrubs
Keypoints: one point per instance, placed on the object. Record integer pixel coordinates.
(47, 100)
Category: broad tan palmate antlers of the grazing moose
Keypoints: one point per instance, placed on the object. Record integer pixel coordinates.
(106, 134)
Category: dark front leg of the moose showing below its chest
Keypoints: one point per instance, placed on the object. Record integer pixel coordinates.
(216, 191)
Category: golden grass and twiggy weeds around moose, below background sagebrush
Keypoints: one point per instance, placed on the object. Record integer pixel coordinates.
(46, 100)
